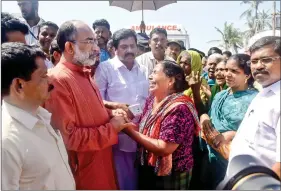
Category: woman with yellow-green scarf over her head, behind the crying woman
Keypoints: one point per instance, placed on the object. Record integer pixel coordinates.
(190, 61)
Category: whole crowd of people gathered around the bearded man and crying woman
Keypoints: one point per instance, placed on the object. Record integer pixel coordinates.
(84, 108)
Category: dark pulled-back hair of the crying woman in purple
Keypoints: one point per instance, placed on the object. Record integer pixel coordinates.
(172, 69)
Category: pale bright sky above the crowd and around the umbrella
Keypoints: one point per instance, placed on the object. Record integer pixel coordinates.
(198, 17)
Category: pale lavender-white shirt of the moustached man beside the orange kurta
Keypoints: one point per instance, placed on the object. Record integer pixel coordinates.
(118, 84)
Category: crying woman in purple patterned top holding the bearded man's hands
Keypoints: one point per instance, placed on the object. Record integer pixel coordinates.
(165, 131)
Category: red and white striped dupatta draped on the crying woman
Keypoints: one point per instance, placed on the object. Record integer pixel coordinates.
(150, 126)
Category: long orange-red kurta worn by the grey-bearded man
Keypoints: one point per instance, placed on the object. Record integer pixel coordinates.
(78, 112)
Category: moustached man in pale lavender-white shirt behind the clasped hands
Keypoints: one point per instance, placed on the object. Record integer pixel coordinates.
(123, 80)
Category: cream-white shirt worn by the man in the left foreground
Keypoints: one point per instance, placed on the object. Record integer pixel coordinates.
(33, 154)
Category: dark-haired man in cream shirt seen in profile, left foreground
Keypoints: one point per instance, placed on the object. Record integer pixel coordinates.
(33, 153)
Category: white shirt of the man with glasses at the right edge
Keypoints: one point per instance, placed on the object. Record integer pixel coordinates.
(259, 132)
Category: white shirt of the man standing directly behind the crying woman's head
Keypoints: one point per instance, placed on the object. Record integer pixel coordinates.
(148, 60)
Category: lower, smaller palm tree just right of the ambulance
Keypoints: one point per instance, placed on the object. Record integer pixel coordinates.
(231, 37)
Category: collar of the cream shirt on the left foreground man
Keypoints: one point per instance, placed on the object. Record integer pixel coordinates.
(27, 119)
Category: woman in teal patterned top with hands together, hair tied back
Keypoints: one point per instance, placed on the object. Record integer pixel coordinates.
(227, 112)
